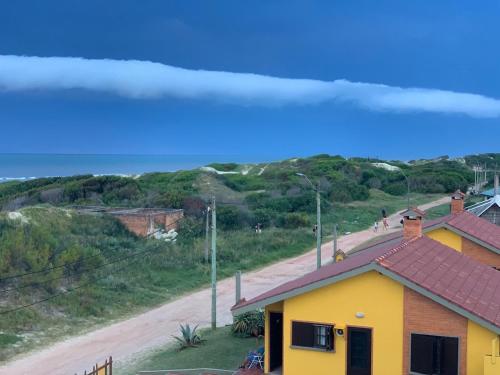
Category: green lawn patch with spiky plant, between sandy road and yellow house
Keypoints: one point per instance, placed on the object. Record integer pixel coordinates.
(221, 350)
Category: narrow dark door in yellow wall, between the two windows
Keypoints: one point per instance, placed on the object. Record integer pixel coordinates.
(359, 351)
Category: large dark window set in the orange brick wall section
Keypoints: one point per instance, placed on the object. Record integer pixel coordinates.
(432, 355)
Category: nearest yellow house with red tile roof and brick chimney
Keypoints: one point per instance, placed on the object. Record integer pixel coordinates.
(411, 306)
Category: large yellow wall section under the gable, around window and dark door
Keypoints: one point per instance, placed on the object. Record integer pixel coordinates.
(378, 297)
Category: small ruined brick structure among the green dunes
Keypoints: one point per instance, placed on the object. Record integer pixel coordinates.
(146, 221)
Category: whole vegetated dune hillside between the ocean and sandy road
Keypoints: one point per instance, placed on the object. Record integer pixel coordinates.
(113, 273)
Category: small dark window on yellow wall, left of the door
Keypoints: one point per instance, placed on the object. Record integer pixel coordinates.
(310, 335)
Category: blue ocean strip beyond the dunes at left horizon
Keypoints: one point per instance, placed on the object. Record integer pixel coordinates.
(29, 166)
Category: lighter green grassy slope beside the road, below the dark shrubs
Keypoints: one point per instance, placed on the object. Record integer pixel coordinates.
(83, 242)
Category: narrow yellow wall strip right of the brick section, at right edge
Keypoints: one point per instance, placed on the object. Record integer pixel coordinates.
(478, 345)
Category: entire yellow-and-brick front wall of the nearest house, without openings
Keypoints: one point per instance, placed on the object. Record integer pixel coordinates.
(391, 310)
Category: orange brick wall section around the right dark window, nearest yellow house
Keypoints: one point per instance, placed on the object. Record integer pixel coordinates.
(422, 315)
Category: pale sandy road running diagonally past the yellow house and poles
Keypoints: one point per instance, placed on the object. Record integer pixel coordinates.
(146, 331)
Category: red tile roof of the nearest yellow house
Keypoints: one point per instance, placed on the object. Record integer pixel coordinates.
(442, 271)
